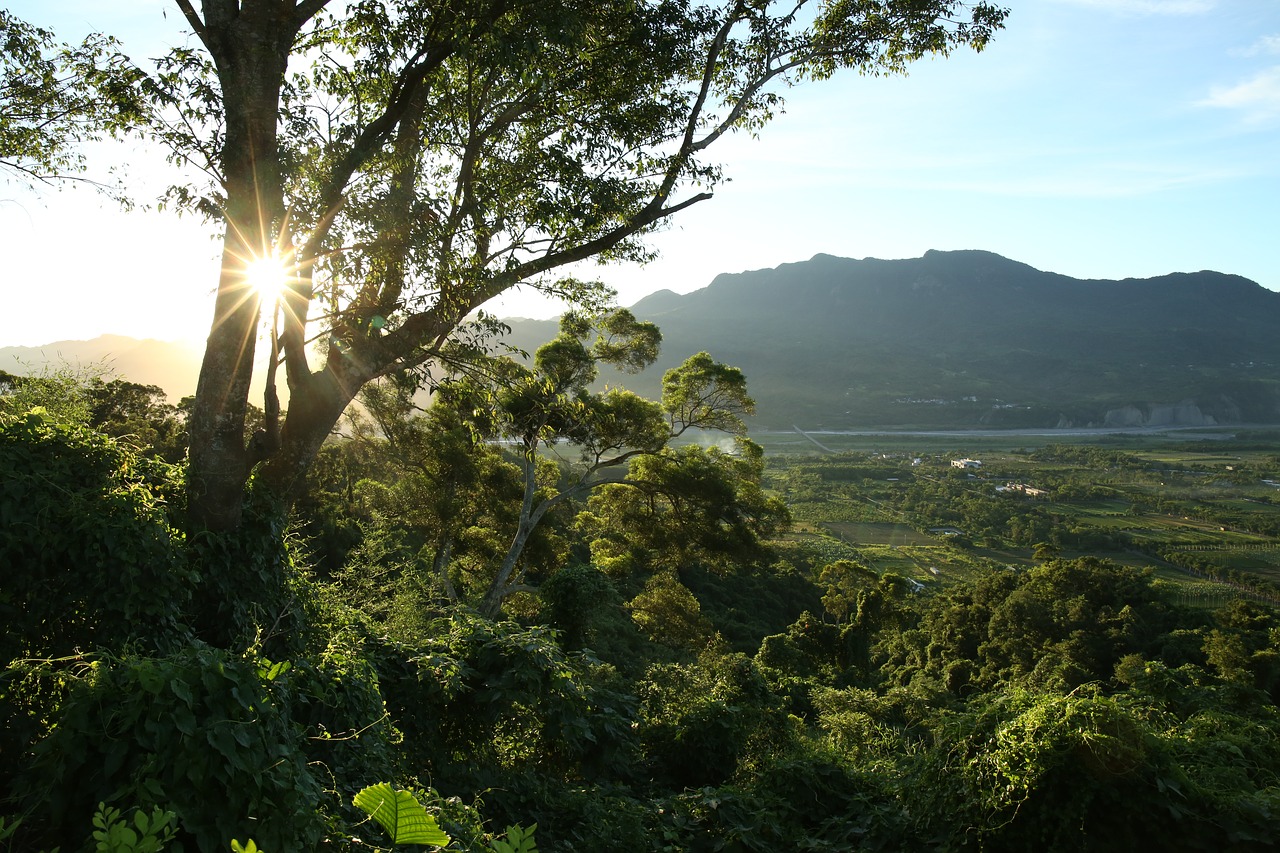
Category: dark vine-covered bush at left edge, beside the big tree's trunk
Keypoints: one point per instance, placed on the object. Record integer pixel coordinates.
(86, 535)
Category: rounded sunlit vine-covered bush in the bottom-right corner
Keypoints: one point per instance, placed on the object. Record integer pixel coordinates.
(1069, 772)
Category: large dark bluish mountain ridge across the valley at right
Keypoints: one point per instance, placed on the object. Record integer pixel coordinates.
(970, 339)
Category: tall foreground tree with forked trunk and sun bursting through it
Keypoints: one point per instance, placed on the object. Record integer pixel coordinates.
(427, 158)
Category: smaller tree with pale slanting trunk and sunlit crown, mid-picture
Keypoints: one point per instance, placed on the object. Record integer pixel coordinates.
(537, 410)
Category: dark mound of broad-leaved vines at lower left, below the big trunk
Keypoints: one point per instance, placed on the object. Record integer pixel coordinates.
(203, 733)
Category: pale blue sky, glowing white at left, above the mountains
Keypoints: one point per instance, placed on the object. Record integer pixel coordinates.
(1098, 139)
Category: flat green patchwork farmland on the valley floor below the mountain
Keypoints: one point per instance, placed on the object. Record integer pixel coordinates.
(1199, 513)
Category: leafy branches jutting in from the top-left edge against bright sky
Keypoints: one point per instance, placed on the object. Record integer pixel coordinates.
(56, 97)
